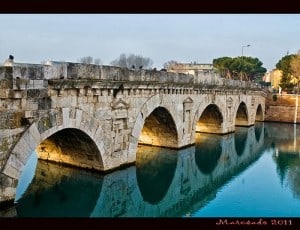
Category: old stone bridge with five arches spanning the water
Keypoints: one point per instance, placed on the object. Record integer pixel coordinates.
(94, 117)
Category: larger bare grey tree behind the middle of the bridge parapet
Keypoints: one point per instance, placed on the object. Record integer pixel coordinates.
(132, 61)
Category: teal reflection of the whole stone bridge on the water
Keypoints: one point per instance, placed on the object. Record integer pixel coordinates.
(125, 193)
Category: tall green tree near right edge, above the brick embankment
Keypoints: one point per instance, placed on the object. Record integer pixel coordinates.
(284, 64)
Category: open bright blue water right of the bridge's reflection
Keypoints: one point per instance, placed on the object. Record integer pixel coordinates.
(256, 192)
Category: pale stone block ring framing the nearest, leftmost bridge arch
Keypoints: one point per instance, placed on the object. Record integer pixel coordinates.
(47, 125)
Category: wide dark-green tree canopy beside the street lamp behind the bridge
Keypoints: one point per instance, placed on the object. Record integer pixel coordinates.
(243, 68)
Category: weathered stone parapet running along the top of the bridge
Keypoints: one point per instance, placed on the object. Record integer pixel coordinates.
(35, 76)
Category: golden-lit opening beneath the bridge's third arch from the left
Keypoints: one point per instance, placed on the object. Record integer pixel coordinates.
(210, 120)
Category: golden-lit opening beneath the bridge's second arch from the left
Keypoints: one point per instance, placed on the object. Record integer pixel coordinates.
(159, 129)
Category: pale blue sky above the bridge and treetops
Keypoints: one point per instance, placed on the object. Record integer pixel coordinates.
(33, 38)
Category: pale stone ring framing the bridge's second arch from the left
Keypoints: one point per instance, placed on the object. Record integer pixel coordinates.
(163, 105)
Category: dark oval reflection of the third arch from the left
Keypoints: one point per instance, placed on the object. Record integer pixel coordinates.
(208, 150)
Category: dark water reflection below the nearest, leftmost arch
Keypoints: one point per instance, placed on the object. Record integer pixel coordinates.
(60, 191)
